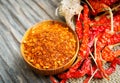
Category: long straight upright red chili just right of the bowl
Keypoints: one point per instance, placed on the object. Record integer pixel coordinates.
(84, 44)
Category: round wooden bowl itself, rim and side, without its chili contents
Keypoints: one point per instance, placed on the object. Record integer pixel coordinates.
(51, 71)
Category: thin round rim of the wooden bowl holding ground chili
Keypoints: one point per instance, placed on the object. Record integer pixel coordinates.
(39, 23)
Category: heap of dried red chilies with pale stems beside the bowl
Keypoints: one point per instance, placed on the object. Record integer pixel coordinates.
(98, 29)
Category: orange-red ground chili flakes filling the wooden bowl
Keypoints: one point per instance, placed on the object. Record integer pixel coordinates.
(49, 46)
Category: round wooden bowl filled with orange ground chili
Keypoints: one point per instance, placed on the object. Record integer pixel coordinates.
(49, 47)
